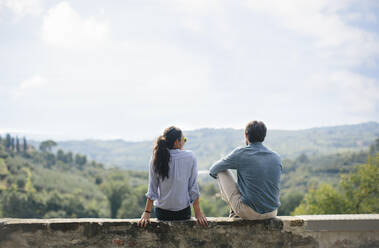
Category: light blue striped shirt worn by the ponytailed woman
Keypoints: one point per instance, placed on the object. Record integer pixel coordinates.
(180, 189)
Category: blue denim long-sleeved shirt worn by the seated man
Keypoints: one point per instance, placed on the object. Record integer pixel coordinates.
(258, 171)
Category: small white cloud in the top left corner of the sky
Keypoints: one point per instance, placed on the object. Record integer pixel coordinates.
(22, 8)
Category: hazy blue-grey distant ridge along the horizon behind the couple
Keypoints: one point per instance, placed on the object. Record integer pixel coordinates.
(211, 144)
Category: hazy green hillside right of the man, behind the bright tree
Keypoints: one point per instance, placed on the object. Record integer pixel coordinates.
(303, 175)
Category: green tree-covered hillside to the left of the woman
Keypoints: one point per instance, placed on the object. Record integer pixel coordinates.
(42, 184)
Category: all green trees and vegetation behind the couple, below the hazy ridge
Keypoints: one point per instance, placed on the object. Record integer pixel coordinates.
(46, 184)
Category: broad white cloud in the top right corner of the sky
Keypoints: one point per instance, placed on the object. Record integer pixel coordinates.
(325, 21)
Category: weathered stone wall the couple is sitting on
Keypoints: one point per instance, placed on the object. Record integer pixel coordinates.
(283, 231)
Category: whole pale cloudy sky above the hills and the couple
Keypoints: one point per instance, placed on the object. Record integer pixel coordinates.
(128, 69)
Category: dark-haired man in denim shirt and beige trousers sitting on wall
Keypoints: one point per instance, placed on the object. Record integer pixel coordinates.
(256, 193)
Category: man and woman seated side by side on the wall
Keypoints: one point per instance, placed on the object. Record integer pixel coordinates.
(173, 184)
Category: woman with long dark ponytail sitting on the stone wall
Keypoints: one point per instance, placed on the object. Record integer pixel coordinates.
(172, 181)
